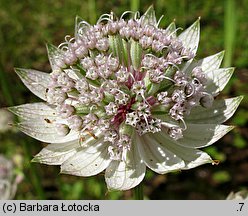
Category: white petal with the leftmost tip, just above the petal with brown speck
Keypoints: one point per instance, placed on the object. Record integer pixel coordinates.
(34, 111)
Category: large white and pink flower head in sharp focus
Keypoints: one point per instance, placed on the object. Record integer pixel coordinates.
(126, 94)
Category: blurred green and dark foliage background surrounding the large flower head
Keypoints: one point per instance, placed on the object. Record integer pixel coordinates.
(25, 27)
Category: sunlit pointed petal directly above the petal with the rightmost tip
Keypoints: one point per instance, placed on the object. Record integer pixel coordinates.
(218, 79)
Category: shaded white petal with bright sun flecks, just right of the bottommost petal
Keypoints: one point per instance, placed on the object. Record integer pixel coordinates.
(157, 157)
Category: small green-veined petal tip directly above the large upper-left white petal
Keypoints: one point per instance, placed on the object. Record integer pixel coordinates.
(55, 55)
